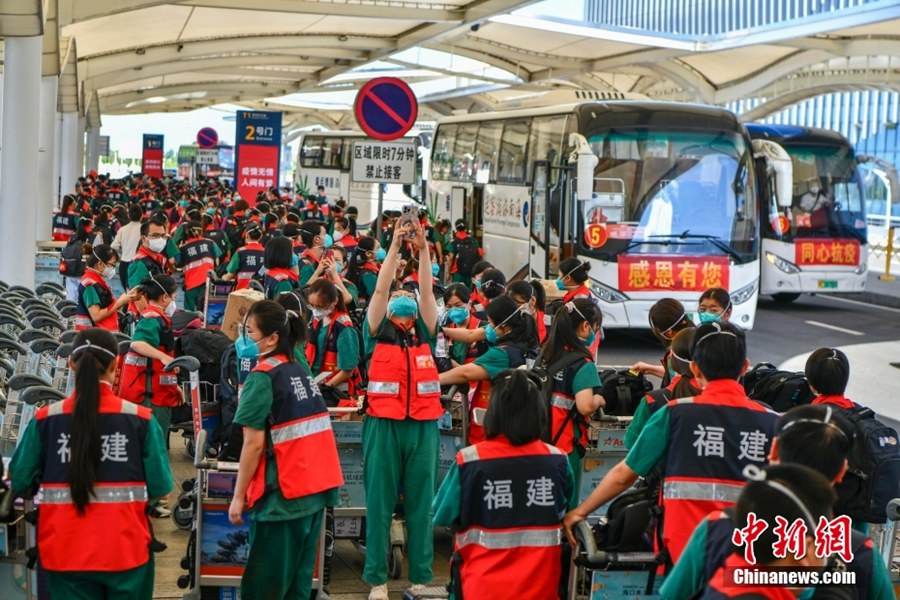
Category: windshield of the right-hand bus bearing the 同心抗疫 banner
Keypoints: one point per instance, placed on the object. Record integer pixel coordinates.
(828, 198)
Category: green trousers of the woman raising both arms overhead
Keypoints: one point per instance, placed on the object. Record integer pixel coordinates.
(399, 453)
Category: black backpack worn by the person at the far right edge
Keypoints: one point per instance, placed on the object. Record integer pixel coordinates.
(873, 473)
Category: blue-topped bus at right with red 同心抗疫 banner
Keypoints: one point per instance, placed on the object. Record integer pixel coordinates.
(816, 241)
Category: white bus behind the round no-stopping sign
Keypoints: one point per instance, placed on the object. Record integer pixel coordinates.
(324, 158)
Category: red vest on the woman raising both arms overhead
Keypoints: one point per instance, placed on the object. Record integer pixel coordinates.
(403, 377)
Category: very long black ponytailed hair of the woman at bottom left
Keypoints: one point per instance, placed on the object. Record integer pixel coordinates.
(84, 434)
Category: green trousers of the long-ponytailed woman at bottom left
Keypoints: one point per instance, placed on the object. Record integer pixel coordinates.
(136, 583)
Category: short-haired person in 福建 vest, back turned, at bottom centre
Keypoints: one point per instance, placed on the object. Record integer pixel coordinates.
(506, 497)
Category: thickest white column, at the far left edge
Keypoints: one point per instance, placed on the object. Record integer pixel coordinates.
(19, 163)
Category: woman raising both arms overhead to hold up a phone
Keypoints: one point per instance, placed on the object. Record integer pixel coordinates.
(400, 436)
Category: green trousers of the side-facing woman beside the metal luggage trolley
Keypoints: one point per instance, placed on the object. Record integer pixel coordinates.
(282, 558)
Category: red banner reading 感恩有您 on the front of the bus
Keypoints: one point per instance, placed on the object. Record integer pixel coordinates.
(642, 273)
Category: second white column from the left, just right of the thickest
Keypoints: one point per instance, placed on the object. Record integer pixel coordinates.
(46, 158)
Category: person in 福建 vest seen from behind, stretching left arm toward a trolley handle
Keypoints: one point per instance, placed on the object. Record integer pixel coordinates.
(716, 435)
